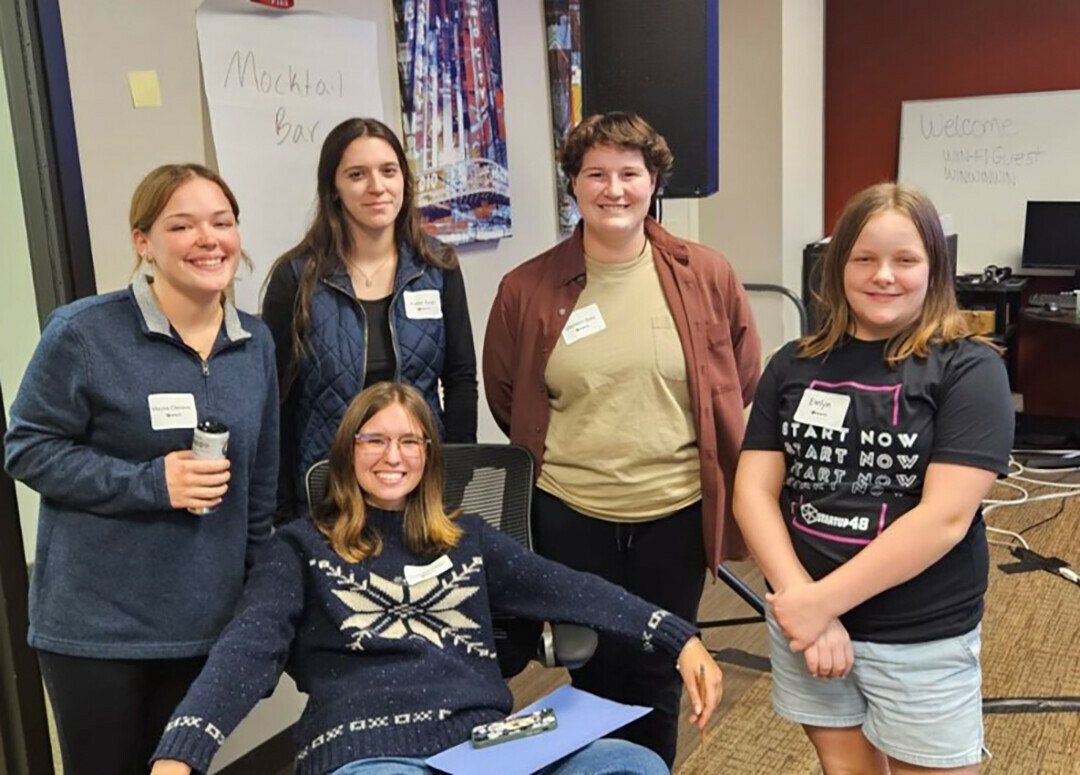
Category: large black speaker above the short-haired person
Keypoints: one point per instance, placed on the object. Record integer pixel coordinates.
(660, 60)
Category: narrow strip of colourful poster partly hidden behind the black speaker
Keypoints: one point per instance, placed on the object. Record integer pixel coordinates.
(563, 21)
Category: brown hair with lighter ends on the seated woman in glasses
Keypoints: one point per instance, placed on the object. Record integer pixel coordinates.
(343, 515)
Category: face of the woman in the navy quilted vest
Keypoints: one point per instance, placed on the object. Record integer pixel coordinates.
(371, 184)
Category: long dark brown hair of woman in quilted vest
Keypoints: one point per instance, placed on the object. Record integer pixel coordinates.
(329, 241)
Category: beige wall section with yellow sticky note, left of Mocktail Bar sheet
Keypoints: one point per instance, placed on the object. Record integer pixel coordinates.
(118, 145)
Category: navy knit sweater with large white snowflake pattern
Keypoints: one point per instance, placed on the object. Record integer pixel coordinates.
(391, 669)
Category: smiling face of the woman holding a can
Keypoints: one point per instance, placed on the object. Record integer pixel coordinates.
(194, 243)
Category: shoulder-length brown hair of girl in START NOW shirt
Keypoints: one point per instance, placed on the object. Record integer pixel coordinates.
(940, 321)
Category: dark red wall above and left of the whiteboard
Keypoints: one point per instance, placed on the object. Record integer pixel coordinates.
(879, 55)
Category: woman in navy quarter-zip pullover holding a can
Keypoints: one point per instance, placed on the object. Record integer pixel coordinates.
(130, 589)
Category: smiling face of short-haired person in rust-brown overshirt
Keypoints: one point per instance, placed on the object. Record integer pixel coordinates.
(614, 191)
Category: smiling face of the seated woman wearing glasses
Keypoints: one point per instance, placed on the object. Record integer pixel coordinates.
(389, 457)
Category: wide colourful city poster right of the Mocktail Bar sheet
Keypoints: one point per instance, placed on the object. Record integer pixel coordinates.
(451, 72)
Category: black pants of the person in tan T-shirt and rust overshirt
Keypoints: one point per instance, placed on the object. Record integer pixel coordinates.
(663, 562)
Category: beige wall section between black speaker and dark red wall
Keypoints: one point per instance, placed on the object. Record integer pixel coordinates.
(771, 199)
